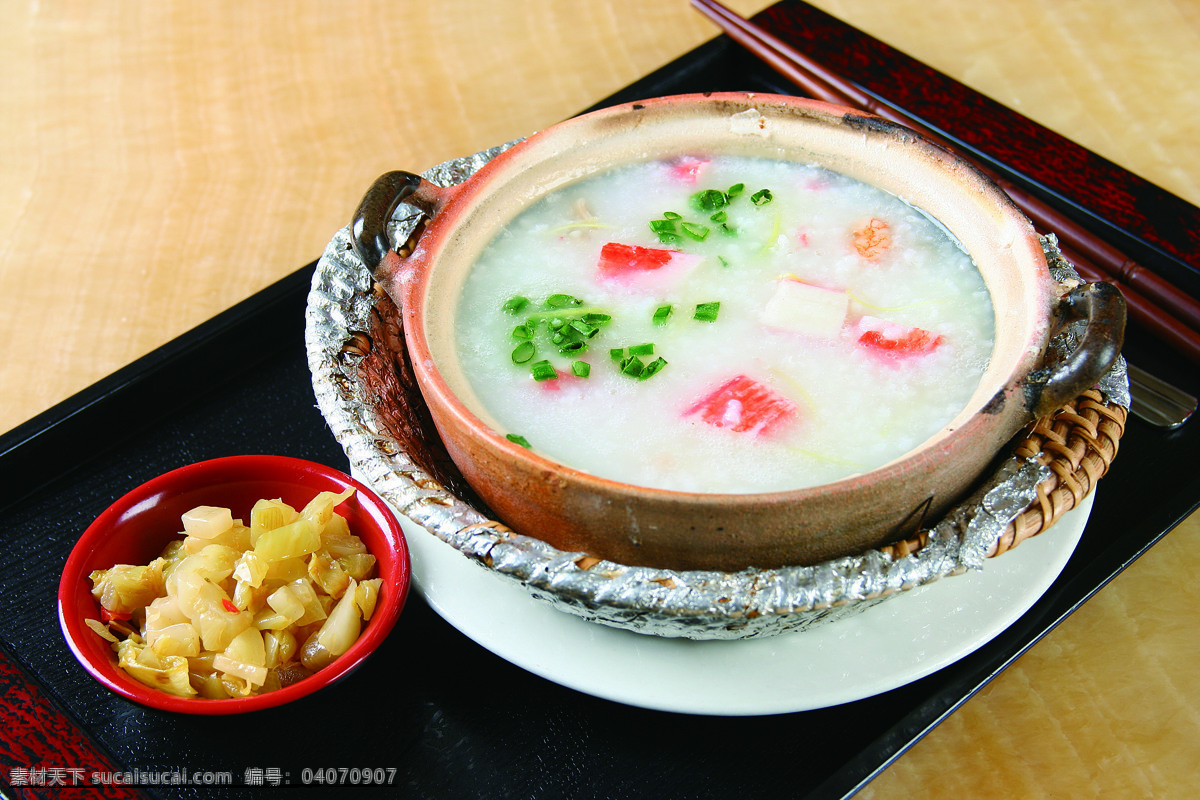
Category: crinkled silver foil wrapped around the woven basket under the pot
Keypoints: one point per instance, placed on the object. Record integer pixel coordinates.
(374, 408)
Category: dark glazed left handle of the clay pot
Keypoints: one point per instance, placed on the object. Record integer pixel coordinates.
(369, 230)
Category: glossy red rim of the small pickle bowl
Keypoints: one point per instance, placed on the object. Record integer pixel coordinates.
(226, 471)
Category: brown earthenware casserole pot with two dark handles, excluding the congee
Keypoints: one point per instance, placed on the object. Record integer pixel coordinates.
(577, 512)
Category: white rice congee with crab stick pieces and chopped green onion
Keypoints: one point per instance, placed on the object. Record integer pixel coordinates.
(723, 324)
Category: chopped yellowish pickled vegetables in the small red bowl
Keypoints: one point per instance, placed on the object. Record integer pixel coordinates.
(233, 611)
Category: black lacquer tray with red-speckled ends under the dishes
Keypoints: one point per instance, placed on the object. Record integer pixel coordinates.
(434, 713)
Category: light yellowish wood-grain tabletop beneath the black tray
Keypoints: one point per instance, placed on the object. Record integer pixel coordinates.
(161, 161)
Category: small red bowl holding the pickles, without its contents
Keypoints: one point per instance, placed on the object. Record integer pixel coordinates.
(137, 527)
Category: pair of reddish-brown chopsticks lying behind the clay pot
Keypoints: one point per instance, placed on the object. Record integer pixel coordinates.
(1163, 310)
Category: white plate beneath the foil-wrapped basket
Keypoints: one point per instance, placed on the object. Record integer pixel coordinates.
(889, 646)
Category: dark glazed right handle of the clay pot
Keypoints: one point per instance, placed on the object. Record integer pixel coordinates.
(1105, 309)
